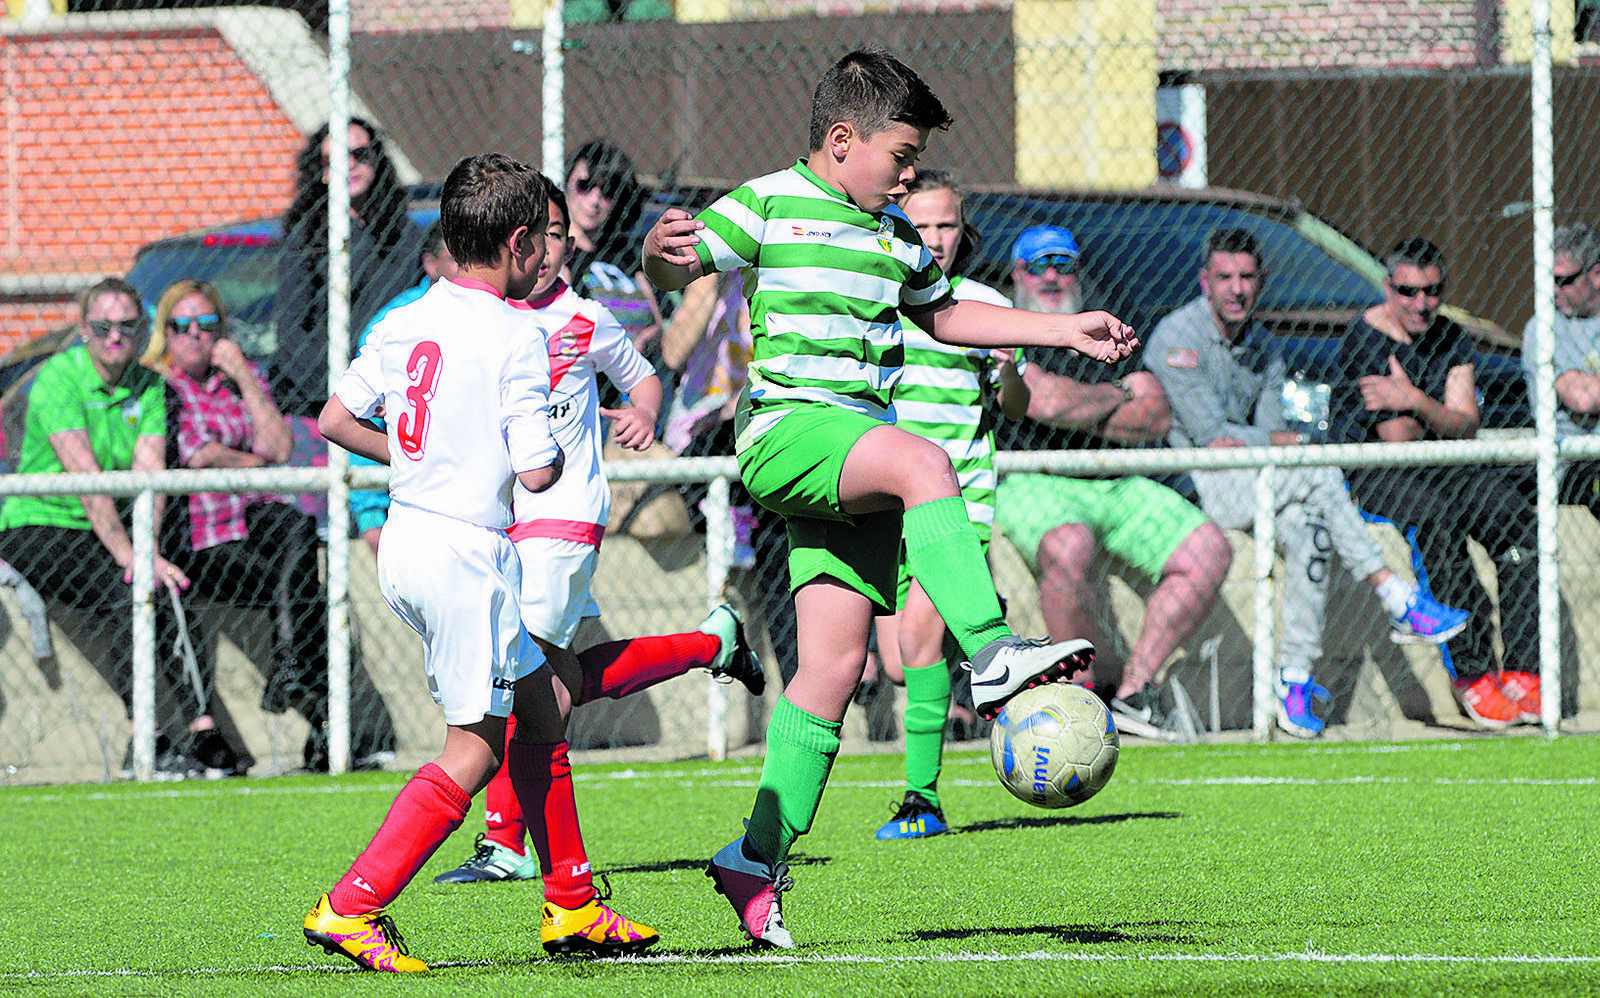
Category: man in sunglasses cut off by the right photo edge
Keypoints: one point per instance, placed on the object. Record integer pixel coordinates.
(1577, 356)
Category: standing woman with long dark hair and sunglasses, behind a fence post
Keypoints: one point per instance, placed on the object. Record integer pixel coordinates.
(386, 250)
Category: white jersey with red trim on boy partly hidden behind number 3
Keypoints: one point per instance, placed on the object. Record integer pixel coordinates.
(585, 341)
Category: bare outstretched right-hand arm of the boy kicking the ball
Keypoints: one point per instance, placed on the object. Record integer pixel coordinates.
(974, 324)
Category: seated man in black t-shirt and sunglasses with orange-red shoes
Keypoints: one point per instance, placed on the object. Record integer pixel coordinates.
(1407, 373)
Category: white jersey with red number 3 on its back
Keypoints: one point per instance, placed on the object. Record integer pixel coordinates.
(466, 386)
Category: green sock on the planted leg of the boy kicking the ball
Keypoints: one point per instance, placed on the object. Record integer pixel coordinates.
(801, 751)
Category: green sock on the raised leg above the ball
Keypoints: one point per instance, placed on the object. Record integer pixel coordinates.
(950, 562)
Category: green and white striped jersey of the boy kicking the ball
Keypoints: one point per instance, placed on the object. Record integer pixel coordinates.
(826, 284)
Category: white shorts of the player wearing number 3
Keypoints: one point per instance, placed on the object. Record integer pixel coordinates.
(457, 586)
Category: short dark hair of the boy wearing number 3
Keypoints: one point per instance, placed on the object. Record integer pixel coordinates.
(486, 199)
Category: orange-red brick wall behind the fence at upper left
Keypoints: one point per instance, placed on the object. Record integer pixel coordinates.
(118, 140)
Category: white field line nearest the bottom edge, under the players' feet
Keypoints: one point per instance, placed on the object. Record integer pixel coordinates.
(1311, 957)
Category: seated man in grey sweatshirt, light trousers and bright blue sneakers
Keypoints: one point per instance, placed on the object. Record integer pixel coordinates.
(1223, 373)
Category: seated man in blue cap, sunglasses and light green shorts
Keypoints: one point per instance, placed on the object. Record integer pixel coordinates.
(1065, 529)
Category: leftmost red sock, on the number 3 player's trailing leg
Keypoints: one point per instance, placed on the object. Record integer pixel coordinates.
(423, 816)
